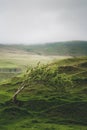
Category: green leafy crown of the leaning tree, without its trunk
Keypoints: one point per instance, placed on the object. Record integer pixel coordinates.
(50, 77)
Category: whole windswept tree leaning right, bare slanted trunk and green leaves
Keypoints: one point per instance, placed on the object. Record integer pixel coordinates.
(46, 75)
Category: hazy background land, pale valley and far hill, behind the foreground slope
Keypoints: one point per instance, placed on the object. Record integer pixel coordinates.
(19, 56)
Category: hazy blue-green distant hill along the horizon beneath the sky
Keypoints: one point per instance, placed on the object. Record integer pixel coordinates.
(70, 48)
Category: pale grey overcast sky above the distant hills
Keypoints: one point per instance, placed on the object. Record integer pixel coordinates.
(39, 21)
